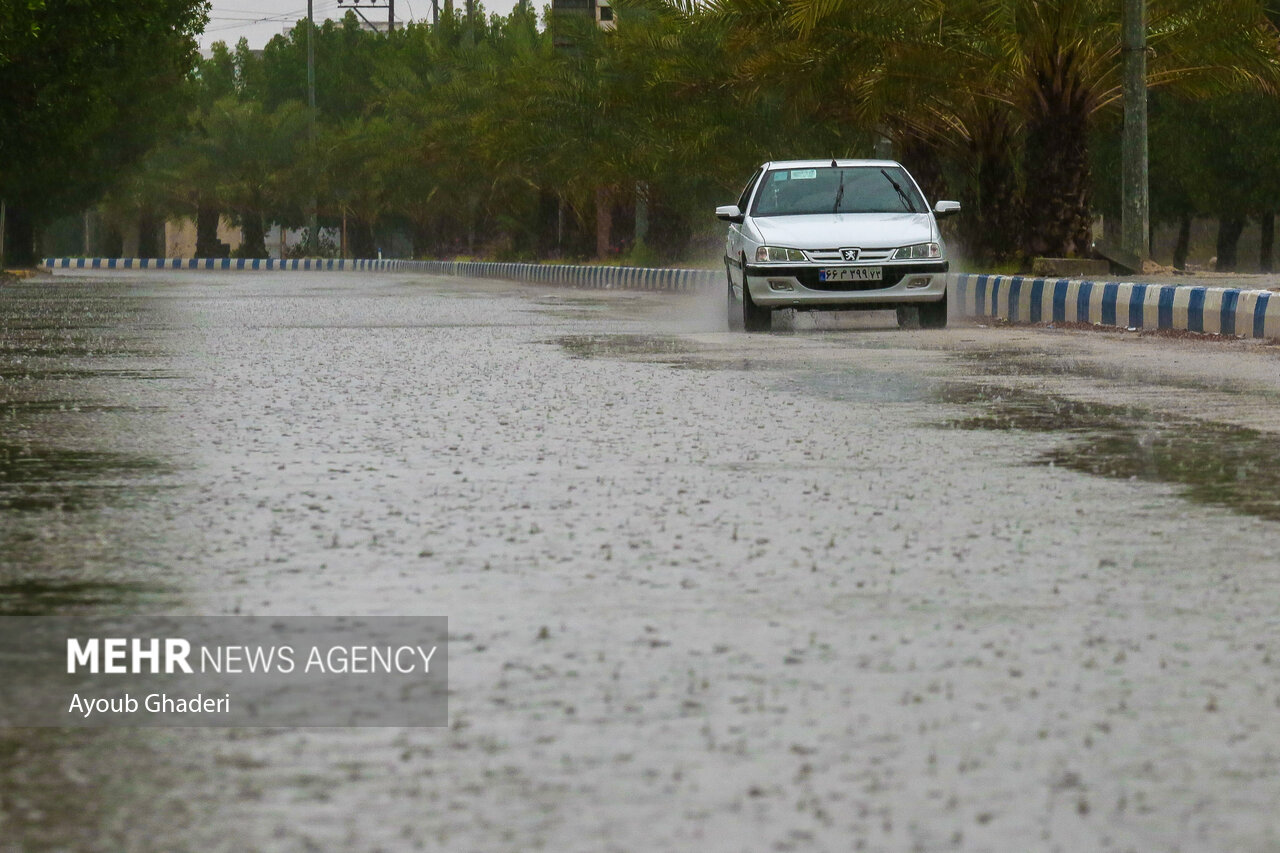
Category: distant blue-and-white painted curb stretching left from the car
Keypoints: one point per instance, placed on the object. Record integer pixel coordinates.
(637, 279)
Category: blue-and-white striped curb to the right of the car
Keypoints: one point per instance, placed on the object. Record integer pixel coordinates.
(1210, 311)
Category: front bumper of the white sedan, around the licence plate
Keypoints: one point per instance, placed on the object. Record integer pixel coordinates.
(798, 286)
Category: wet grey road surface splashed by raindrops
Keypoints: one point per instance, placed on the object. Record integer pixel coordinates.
(839, 587)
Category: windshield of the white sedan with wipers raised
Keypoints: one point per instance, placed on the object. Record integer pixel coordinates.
(830, 190)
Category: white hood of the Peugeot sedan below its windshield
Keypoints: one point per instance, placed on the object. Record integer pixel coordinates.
(840, 231)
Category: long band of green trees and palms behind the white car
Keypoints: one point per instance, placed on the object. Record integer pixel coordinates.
(506, 138)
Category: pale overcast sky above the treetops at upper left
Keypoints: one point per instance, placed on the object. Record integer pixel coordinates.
(262, 20)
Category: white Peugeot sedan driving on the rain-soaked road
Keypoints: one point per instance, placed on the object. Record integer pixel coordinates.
(835, 236)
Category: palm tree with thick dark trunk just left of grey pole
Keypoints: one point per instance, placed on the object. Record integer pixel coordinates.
(1063, 61)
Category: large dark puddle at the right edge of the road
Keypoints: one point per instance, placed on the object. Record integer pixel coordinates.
(1215, 464)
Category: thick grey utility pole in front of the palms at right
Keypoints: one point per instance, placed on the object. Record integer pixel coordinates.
(1136, 220)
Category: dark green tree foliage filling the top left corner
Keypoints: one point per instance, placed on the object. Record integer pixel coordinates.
(85, 92)
